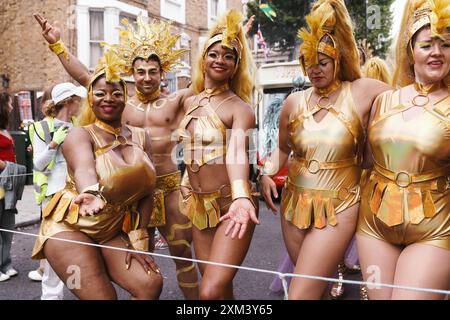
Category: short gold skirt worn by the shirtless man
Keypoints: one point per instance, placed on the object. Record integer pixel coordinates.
(165, 184)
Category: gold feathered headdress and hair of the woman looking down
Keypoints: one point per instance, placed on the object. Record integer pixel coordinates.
(330, 32)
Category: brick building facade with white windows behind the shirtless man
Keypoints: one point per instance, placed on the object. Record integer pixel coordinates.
(28, 64)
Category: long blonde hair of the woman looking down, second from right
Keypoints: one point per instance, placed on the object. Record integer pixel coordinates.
(339, 20)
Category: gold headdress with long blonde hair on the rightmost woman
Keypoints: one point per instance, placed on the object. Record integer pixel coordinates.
(418, 14)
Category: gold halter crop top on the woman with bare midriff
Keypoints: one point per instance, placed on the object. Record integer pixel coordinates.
(208, 141)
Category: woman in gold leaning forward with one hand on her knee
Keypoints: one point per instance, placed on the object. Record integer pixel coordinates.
(97, 202)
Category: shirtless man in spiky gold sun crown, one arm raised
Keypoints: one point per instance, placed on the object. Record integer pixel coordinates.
(160, 115)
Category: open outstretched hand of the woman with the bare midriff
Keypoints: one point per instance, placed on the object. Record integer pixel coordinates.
(240, 213)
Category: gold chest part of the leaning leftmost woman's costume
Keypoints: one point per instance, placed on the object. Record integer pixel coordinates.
(114, 172)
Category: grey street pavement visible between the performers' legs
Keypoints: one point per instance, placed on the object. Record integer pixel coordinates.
(266, 252)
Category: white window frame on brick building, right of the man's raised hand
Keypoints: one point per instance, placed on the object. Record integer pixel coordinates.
(112, 10)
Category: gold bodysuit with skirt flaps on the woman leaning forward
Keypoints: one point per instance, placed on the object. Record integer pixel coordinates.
(114, 174)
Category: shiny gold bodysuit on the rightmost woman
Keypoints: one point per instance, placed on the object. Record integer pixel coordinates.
(407, 197)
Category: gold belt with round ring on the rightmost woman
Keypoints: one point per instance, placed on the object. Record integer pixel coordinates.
(437, 179)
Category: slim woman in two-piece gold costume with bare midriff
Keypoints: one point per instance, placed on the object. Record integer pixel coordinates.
(217, 163)
